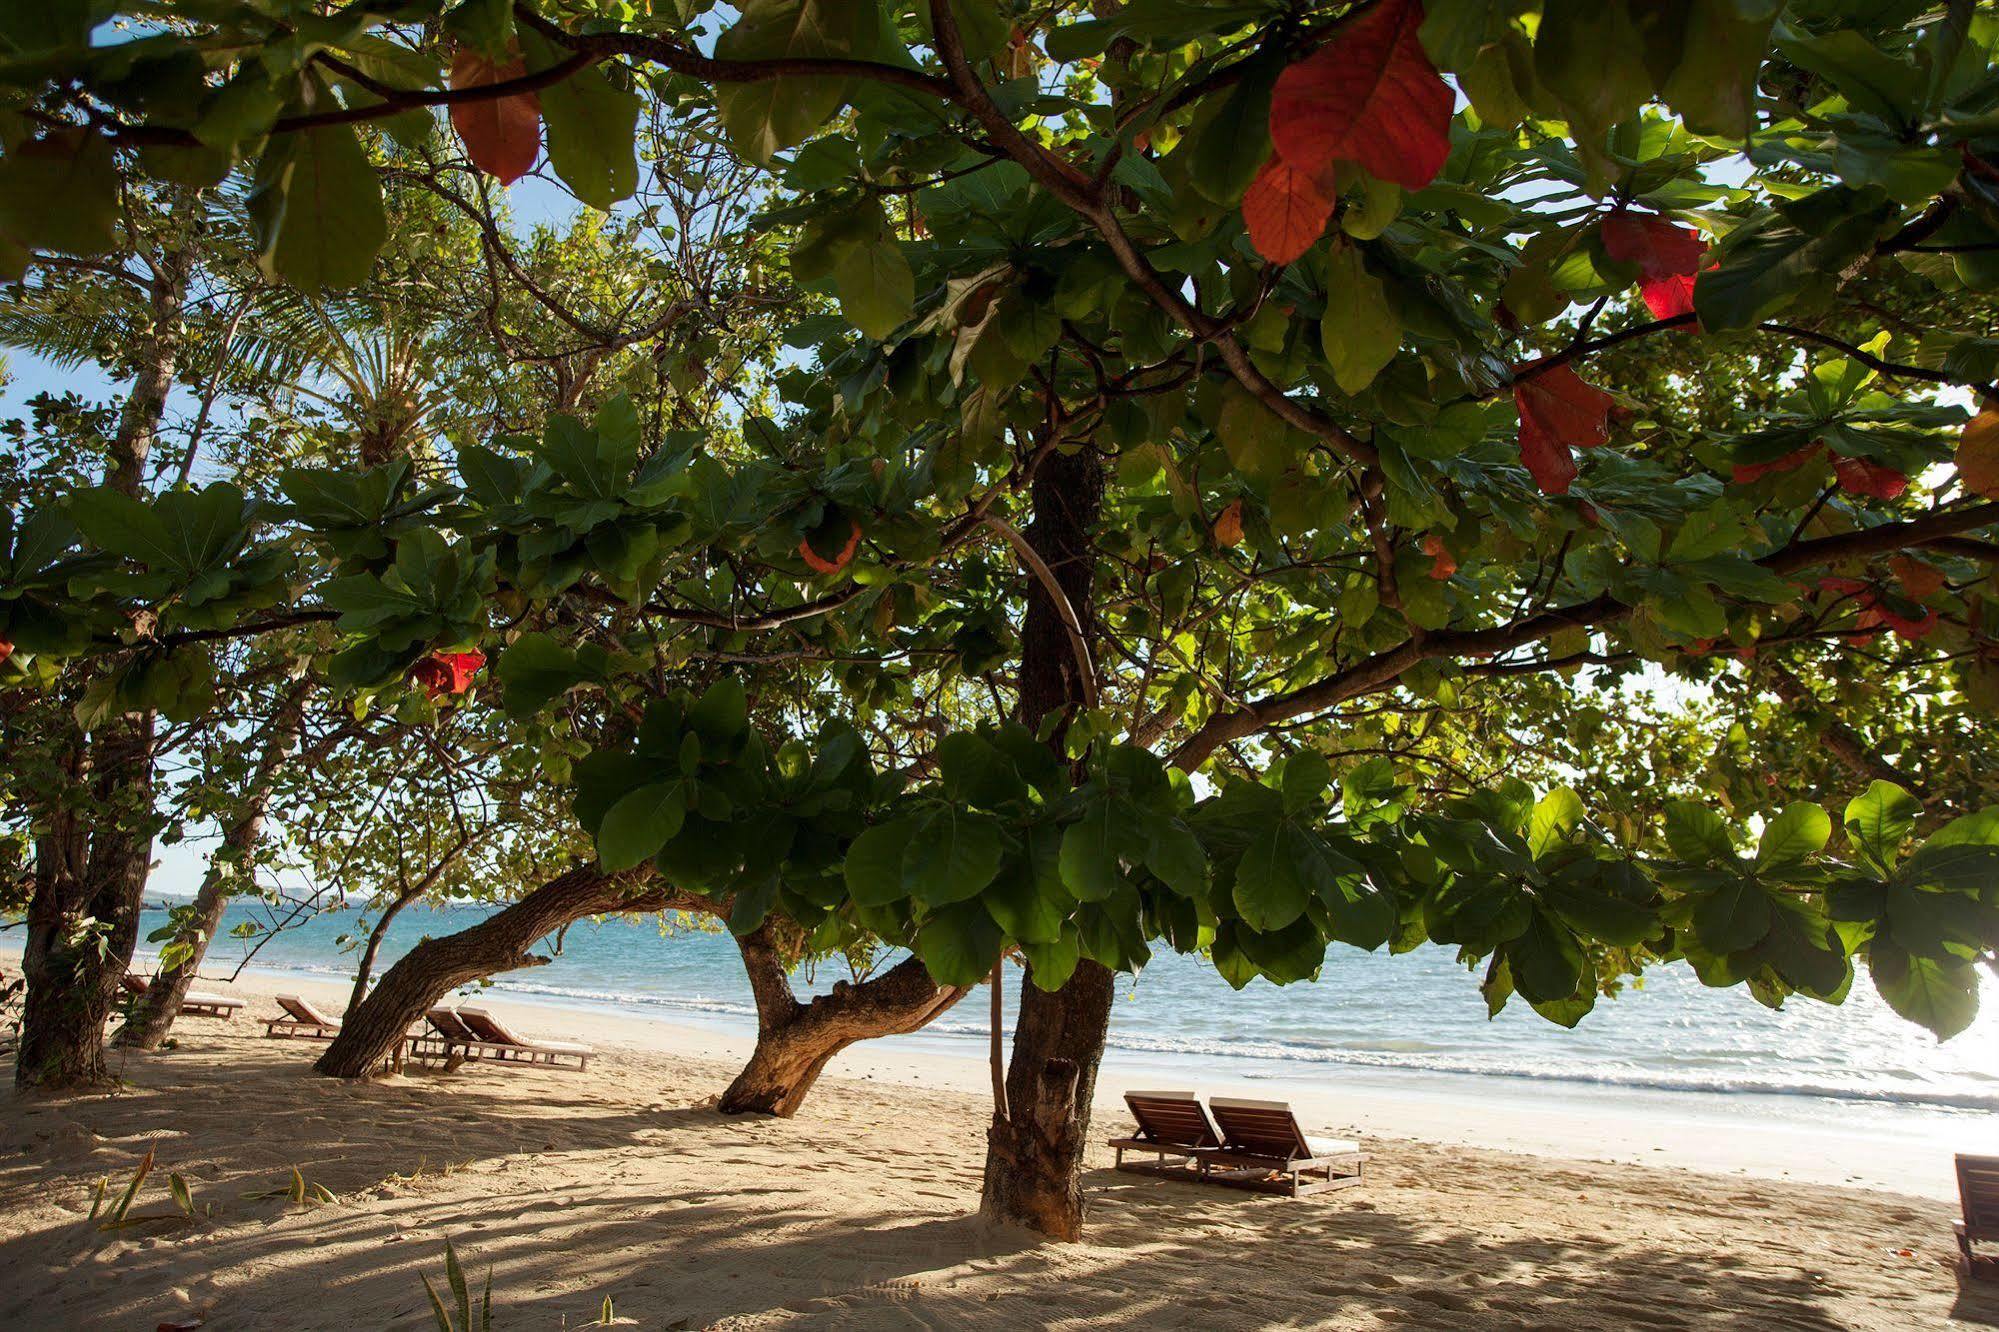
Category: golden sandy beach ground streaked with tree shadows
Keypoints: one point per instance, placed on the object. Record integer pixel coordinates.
(861, 1213)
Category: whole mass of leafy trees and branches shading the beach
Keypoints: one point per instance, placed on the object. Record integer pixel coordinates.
(1088, 479)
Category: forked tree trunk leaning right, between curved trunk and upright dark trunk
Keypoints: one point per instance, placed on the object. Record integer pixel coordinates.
(797, 1041)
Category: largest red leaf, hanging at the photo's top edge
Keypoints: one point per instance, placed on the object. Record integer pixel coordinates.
(1368, 97)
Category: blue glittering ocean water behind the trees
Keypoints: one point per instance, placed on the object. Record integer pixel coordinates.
(1418, 1013)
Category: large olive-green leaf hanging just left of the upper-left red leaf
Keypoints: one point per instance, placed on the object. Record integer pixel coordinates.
(321, 217)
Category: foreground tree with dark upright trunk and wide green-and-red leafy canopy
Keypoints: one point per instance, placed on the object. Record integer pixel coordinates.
(1202, 381)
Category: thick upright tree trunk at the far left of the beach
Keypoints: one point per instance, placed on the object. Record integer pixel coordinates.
(91, 865)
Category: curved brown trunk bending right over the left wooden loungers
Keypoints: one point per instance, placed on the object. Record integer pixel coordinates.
(497, 945)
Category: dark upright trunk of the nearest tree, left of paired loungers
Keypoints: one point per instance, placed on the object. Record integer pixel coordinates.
(1034, 1151)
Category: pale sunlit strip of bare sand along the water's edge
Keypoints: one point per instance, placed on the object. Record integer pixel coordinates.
(1882, 1147)
